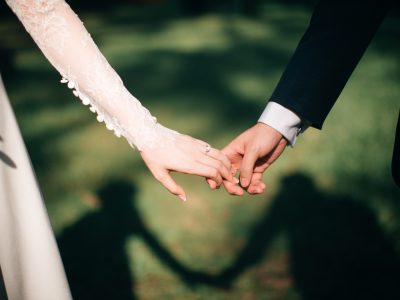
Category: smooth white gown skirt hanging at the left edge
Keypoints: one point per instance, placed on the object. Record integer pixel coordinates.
(29, 259)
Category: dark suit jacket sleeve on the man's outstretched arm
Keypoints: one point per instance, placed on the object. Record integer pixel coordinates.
(337, 37)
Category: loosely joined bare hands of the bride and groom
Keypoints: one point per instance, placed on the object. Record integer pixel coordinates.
(249, 154)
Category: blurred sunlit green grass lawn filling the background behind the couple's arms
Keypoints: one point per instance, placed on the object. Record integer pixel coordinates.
(209, 77)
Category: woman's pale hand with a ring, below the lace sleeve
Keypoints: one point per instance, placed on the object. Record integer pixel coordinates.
(190, 156)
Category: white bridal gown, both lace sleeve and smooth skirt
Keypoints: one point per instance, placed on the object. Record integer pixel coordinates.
(30, 263)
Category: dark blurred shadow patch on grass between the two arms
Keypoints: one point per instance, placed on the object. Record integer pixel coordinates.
(202, 80)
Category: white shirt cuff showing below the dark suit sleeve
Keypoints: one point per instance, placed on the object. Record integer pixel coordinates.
(283, 120)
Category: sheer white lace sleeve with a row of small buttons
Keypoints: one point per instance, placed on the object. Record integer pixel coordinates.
(63, 39)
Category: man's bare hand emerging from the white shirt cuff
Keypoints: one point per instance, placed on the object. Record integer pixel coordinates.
(252, 153)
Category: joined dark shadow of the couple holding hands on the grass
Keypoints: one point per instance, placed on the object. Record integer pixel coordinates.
(337, 249)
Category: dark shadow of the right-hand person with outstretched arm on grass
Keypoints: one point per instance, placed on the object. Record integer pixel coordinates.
(337, 249)
